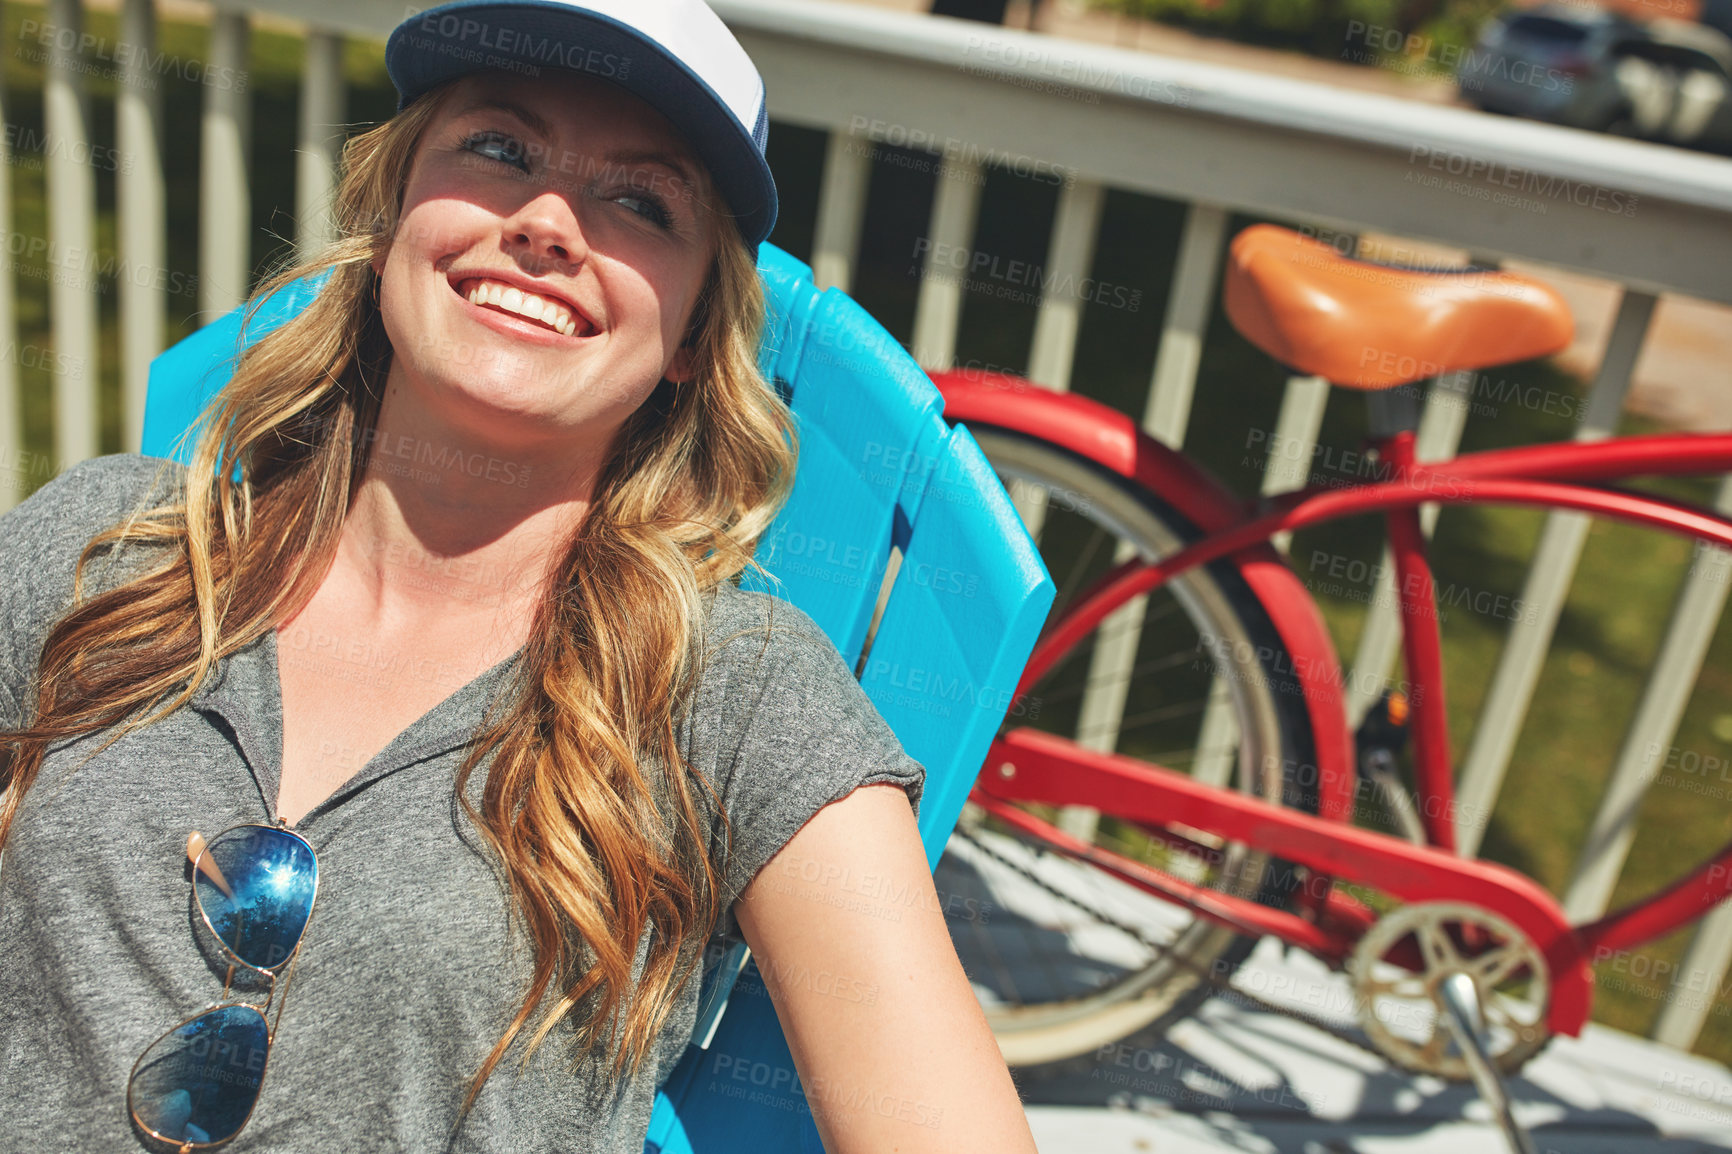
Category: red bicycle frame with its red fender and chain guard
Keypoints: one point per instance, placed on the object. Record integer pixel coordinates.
(1033, 767)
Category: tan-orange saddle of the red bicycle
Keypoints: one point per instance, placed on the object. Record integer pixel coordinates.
(1374, 327)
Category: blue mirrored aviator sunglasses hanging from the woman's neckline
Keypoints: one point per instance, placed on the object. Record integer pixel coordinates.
(198, 1084)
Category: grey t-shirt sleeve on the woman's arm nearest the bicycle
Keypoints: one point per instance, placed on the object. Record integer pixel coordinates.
(791, 732)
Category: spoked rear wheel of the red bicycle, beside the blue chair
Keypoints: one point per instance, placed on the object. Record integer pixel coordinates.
(1267, 706)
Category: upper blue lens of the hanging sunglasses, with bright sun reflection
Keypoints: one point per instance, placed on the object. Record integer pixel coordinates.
(269, 895)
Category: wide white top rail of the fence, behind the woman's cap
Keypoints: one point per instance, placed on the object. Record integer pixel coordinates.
(1653, 217)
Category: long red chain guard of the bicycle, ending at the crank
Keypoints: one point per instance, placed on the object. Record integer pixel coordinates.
(1044, 768)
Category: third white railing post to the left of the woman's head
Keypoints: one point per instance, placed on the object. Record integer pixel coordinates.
(141, 223)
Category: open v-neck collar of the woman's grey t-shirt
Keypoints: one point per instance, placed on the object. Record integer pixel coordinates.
(247, 690)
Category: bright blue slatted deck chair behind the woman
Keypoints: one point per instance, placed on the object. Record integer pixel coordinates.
(879, 469)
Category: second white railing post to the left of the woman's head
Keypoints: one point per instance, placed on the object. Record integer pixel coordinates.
(226, 207)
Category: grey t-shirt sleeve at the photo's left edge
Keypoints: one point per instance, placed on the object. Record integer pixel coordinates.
(41, 541)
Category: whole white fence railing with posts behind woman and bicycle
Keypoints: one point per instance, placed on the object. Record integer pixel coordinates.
(1646, 217)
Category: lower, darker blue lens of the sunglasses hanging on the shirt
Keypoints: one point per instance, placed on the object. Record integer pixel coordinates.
(200, 1080)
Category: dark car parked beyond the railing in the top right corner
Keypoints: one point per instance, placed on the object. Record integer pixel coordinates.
(1577, 67)
